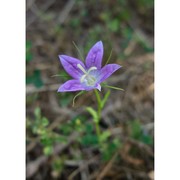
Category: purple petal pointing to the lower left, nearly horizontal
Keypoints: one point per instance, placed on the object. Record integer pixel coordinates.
(71, 85)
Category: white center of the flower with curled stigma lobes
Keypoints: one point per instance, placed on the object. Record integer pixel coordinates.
(87, 77)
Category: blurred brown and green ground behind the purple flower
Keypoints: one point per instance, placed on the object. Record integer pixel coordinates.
(60, 139)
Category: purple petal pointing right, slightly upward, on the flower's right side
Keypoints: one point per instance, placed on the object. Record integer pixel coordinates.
(106, 71)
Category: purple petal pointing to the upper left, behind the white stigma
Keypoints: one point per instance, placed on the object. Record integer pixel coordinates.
(70, 65)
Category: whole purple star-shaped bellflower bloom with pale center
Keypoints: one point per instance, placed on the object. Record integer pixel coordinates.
(86, 76)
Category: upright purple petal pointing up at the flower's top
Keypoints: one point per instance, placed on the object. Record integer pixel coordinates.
(94, 57)
